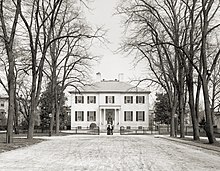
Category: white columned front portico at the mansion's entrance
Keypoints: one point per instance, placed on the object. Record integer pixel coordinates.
(109, 114)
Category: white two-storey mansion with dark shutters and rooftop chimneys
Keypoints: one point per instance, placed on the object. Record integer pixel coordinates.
(111, 101)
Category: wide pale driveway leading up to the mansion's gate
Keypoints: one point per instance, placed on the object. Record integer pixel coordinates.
(122, 153)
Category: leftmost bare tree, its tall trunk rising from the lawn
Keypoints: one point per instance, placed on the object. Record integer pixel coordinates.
(8, 37)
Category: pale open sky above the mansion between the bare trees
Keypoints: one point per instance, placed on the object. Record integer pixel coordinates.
(111, 63)
